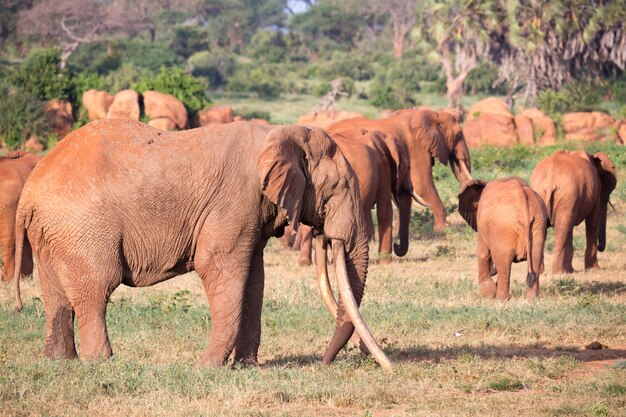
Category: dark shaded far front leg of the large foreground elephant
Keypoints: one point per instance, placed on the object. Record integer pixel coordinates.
(249, 338)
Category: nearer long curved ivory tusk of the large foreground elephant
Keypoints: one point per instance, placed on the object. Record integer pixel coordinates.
(347, 297)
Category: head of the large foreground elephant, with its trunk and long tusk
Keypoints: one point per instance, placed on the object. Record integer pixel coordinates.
(303, 172)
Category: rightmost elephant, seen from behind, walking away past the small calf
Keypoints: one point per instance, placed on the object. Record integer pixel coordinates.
(575, 186)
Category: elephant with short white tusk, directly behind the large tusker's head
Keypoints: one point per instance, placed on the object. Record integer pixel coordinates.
(381, 166)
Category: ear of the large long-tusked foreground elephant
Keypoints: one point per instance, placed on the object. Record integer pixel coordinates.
(281, 167)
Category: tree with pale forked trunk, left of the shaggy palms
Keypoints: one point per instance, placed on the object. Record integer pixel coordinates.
(462, 31)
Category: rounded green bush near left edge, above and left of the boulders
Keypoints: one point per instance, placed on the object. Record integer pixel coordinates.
(39, 75)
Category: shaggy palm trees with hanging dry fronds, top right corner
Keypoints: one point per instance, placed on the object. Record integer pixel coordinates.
(550, 43)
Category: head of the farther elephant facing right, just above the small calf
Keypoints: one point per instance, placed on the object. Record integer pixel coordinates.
(441, 136)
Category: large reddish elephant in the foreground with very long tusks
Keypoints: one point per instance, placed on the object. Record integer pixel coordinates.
(119, 202)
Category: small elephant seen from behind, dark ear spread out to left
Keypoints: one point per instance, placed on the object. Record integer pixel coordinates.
(511, 220)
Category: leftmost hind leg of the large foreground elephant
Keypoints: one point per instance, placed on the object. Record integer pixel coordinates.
(59, 317)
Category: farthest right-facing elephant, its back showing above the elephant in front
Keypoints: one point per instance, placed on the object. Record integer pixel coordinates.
(426, 135)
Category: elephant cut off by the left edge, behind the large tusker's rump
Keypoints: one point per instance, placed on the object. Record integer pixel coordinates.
(14, 170)
